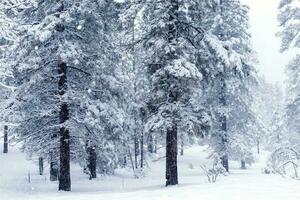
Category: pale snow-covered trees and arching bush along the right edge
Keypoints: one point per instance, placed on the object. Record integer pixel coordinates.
(285, 137)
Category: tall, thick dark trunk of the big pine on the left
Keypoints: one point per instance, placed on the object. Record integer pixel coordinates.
(64, 175)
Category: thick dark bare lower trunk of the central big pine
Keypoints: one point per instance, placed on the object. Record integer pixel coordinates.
(171, 156)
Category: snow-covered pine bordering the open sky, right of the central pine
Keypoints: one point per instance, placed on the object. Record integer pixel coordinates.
(233, 72)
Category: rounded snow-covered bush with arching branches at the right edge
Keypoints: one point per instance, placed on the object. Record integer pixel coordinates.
(284, 161)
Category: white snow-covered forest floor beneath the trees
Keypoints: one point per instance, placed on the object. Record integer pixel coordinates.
(248, 184)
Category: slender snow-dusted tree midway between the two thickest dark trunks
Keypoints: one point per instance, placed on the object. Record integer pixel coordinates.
(137, 82)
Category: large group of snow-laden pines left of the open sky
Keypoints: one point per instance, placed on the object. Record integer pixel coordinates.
(105, 83)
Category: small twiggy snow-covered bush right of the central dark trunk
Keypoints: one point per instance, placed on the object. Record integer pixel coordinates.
(216, 169)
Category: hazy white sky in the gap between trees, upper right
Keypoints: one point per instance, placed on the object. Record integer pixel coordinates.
(264, 25)
